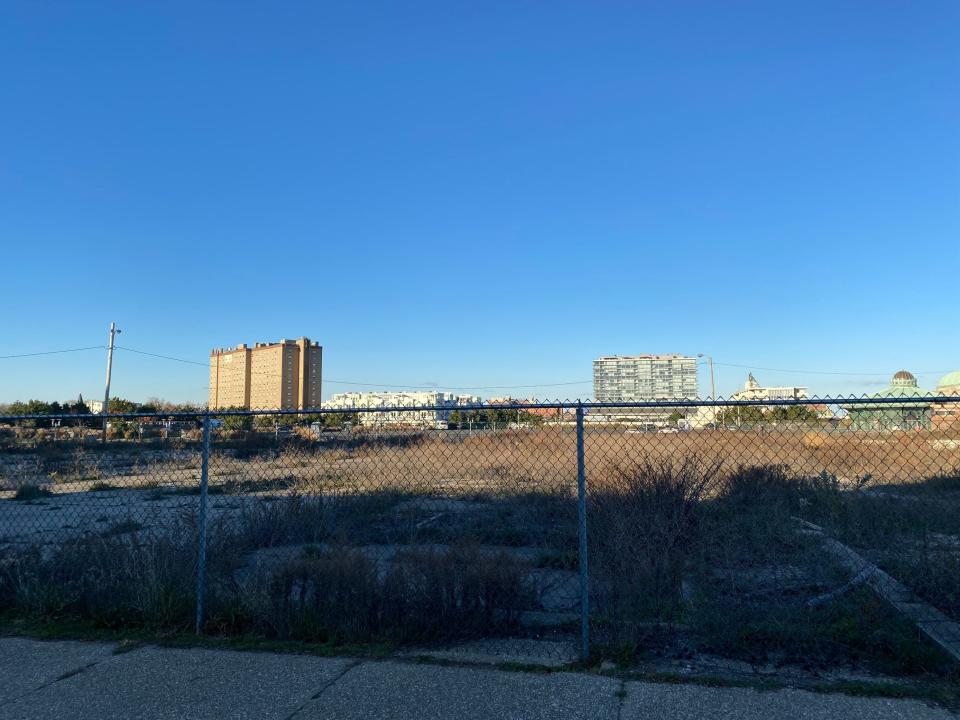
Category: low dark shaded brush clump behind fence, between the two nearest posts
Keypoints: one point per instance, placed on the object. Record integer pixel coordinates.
(340, 594)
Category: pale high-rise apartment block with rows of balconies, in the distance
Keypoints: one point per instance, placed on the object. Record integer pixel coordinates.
(644, 377)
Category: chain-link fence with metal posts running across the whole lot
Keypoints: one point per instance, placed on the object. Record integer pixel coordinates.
(821, 533)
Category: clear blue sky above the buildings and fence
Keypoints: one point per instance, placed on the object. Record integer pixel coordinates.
(480, 194)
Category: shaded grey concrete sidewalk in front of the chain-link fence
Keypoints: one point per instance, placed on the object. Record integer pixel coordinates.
(40, 679)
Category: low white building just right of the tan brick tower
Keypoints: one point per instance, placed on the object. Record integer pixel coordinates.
(436, 413)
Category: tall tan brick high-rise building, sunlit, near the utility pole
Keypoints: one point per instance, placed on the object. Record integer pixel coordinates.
(268, 376)
